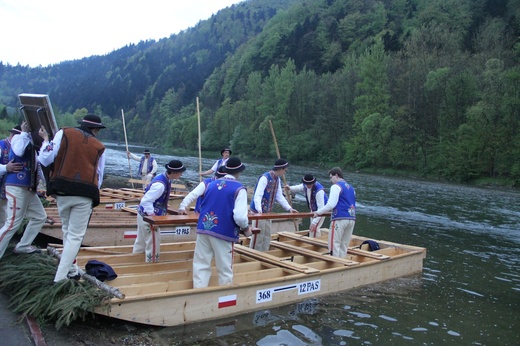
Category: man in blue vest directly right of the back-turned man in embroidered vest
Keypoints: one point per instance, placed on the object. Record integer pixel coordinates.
(268, 190)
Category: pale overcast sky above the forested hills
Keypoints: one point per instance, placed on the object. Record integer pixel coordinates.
(43, 32)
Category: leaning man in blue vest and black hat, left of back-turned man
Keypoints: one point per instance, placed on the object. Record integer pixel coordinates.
(155, 202)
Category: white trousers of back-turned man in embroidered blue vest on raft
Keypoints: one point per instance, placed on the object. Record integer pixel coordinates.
(207, 248)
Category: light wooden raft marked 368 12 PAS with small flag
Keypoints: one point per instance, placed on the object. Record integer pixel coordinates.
(290, 271)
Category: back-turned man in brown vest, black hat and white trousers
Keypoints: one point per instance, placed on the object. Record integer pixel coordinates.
(75, 179)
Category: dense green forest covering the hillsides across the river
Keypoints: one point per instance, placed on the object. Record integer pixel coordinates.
(427, 86)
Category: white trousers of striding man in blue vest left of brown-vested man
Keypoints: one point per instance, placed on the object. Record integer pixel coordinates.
(21, 203)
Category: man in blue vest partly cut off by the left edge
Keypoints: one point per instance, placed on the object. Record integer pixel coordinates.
(7, 166)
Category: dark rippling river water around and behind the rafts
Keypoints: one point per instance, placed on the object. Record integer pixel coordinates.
(467, 294)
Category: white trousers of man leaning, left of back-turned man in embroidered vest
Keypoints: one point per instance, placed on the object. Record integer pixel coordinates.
(148, 240)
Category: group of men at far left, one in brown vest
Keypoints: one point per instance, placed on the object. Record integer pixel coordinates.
(76, 160)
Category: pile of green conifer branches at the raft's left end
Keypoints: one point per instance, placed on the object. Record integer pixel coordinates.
(28, 279)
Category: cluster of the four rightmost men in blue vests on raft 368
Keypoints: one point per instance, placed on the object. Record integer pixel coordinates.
(224, 214)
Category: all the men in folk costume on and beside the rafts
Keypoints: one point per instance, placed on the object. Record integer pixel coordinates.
(76, 160)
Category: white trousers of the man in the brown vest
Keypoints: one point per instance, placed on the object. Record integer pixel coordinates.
(75, 214)
